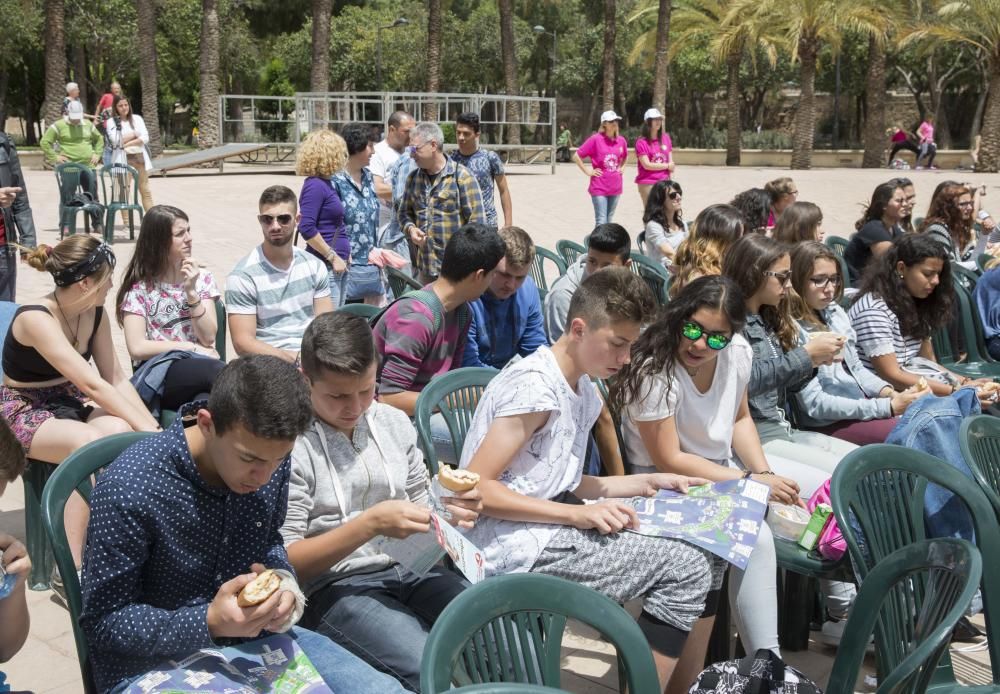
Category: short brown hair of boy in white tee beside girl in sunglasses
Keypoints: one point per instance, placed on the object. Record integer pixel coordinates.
(613, 295)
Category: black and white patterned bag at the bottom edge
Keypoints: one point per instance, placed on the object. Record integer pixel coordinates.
(761, 673)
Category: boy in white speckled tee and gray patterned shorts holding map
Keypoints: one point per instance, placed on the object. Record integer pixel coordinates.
(527, 441)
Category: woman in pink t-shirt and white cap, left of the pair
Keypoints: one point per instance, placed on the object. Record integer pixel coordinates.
(608, 152)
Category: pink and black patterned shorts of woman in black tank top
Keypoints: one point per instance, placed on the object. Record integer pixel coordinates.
(26, 409)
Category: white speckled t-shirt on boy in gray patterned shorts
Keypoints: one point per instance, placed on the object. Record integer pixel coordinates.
(550, 464)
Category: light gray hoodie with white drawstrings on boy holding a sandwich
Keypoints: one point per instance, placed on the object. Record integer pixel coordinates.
(358, 475)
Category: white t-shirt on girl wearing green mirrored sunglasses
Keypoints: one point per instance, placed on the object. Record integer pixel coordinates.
(704, 421)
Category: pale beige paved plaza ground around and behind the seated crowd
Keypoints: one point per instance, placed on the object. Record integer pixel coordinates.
(223, 212)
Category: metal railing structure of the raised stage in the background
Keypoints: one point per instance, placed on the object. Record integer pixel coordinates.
(286, 120)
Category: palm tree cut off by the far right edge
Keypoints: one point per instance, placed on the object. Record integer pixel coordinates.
(974, 23)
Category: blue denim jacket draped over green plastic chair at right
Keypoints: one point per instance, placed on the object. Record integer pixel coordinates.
(931, 425)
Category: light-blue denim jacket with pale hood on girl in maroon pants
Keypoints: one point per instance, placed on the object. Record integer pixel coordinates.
(842, 390)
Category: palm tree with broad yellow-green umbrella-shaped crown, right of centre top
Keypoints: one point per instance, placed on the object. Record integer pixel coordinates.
(804, 27)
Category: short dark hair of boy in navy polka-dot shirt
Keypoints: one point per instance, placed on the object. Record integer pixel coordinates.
(264, 393)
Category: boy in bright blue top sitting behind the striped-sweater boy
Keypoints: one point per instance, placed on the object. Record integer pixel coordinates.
(507, 319)
